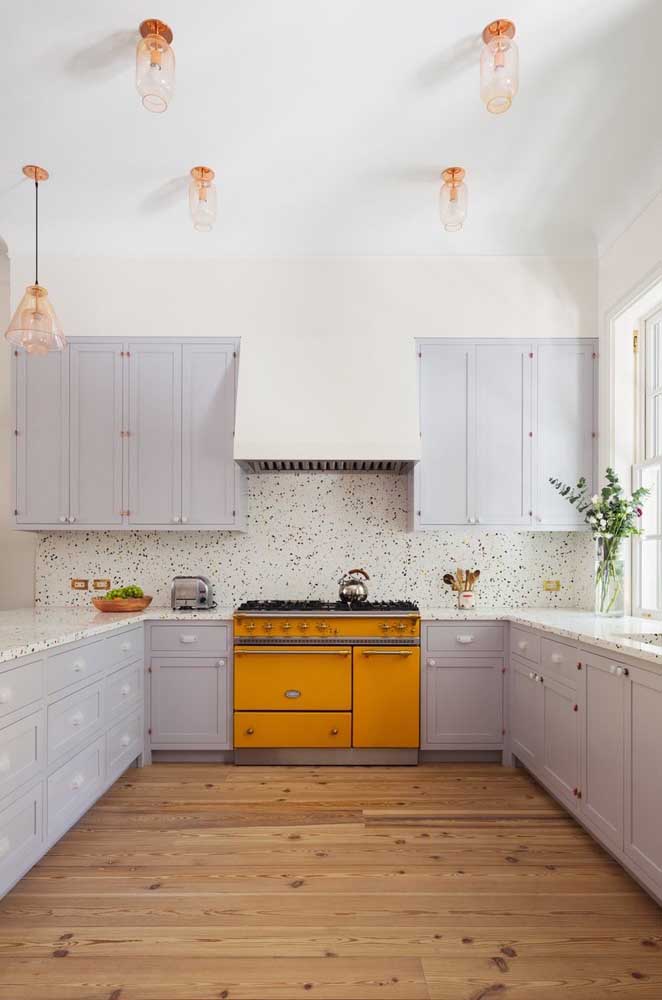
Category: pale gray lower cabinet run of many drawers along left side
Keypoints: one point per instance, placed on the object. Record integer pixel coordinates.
(71, 721)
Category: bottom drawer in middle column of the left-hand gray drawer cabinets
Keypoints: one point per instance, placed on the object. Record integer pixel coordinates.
(75, 786)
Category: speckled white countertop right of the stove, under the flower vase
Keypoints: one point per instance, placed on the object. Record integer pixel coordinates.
(580, 626)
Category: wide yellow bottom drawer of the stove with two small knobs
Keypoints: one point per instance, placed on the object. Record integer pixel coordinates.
(292, 729)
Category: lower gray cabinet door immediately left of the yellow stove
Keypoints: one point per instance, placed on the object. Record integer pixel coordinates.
(189, 702)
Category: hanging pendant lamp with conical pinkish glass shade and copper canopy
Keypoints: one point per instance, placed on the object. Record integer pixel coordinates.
(34, 326)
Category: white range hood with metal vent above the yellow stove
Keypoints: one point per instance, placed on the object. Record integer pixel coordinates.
(327, 404)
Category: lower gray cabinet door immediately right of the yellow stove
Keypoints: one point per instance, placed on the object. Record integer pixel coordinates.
(462, 702)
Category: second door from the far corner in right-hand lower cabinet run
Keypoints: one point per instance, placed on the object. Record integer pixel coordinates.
(560, 734)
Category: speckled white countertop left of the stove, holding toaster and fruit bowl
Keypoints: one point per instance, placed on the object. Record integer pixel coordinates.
(32, 630)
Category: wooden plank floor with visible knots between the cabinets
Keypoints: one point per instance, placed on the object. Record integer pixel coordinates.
(445, 882)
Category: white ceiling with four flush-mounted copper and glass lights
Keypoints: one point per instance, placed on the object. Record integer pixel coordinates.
(328, 125)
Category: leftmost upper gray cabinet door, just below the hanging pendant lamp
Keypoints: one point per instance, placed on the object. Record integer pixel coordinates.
(42, 451)
